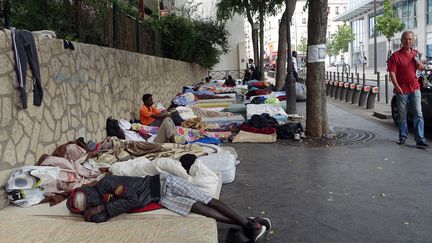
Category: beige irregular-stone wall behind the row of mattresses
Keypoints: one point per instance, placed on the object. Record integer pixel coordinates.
(81, 89)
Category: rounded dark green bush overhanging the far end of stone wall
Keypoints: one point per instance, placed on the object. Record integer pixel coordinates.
(196, 41)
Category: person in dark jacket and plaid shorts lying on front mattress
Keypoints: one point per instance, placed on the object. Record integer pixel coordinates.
(114, 195)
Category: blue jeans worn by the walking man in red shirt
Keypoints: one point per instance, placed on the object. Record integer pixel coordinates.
(413, 99)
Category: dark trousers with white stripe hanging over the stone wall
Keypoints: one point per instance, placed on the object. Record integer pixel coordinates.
(24, 49)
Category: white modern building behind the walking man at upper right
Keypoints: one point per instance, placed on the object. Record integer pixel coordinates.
(415, 14)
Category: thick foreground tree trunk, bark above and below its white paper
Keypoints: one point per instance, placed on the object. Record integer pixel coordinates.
(316, 106)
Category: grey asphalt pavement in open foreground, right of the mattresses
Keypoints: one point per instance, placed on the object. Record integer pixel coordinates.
(377, 191)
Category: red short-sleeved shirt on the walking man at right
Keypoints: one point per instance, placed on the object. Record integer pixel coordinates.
(404, 66)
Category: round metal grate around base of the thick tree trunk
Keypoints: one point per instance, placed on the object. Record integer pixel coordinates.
(338, 136)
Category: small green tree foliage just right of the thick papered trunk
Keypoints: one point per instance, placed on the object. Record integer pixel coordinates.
(339, 41)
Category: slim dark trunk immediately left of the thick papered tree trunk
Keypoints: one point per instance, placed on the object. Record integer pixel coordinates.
(290, 80)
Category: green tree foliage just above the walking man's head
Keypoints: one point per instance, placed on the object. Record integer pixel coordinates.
(388, 24)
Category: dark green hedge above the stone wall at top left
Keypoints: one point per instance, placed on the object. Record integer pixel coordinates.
(80, 20)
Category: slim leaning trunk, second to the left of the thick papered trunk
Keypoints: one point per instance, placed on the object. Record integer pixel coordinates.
(281, 60)
